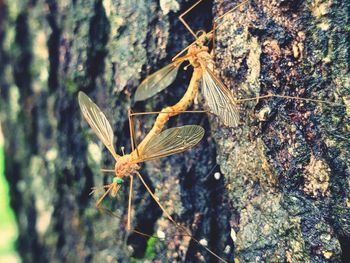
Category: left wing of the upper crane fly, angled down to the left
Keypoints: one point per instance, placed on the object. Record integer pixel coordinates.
(158, 81)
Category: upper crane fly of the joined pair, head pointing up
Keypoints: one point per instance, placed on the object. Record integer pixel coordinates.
(219, 98)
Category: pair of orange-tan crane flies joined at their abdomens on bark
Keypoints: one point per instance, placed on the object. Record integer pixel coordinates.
(158, 143)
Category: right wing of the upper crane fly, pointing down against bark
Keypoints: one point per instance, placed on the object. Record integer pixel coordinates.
(219, 98)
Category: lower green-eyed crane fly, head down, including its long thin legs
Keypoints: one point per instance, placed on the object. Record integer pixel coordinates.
(168, 142)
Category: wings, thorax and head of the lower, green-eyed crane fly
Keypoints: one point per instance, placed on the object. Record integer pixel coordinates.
(168, 142)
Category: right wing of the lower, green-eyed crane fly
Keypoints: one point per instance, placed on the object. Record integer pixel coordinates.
(171, 141)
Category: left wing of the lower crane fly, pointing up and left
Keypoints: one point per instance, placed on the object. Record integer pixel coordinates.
(97, 121)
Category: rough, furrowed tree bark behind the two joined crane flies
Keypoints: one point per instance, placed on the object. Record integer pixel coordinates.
(284, 193)
